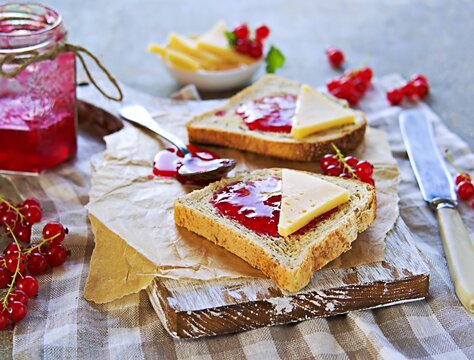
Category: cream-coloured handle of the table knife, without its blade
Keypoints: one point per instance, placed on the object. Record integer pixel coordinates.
(459, 250)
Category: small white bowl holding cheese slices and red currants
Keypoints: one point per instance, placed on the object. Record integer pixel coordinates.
(216, 80)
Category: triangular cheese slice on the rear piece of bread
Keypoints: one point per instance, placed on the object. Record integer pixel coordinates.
(316, 111)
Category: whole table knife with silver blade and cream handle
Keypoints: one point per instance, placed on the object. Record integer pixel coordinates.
(437, 188)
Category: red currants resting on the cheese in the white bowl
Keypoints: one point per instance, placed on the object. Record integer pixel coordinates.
(240, 39)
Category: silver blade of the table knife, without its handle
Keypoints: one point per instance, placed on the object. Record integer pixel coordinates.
(430, 170)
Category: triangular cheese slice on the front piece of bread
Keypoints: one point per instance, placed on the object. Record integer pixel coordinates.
(305, 197)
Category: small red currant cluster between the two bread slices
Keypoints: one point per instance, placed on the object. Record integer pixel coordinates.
(347, 167)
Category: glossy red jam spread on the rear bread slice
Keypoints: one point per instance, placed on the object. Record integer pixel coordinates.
(269, 113)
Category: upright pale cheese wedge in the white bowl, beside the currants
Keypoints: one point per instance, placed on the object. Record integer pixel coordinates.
(216, 42)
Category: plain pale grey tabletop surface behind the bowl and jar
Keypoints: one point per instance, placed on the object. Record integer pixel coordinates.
(432, 37)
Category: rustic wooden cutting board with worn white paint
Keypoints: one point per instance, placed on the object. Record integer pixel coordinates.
(191, 309)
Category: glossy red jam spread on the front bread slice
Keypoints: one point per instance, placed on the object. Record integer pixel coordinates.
(256, 205)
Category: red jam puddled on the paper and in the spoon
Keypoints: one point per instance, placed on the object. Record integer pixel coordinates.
(168, 161)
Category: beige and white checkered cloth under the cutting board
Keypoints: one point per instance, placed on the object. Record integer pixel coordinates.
(62, 325)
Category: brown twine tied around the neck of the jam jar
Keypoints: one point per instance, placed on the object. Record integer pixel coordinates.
(51, 54)
